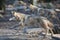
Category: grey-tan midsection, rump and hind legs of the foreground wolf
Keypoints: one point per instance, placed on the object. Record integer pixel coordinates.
(44, 22)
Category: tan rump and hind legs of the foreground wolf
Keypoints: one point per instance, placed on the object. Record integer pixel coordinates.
(47, 25)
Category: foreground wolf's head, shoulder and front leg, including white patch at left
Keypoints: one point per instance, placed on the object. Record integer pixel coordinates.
(19, 16)
